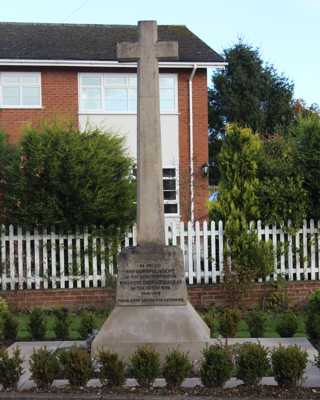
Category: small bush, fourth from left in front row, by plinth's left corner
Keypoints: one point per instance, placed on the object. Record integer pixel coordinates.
(112, 369)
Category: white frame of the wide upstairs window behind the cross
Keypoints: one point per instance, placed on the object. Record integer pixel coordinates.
(103, 111)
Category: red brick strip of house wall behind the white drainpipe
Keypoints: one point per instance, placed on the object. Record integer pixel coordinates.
(200, 142)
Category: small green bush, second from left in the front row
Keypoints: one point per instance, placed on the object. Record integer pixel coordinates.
(44, 367)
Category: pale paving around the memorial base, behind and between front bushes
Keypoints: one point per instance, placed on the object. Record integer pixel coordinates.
(311, 378)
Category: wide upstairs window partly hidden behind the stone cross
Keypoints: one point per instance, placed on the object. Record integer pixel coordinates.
(117, 93)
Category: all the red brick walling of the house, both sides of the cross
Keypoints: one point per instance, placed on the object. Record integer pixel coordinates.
(60, 101)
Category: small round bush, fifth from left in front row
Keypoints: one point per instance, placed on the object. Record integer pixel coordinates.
(145, 366)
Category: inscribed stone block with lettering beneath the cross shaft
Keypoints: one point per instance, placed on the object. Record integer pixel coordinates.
(151, 278)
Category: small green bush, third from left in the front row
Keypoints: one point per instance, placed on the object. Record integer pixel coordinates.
(76, 366)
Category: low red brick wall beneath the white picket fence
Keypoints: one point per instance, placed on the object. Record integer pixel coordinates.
(201, 296)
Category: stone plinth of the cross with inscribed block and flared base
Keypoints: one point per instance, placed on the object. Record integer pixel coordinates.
(152, 306)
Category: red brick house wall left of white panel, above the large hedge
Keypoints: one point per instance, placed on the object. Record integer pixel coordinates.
(59, 101)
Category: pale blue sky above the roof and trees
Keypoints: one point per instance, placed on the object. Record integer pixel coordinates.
(287, 32)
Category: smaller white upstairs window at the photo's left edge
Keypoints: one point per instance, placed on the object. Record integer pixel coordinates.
(20, 90)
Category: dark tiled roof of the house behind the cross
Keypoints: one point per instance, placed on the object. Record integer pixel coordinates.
(39, 41)
